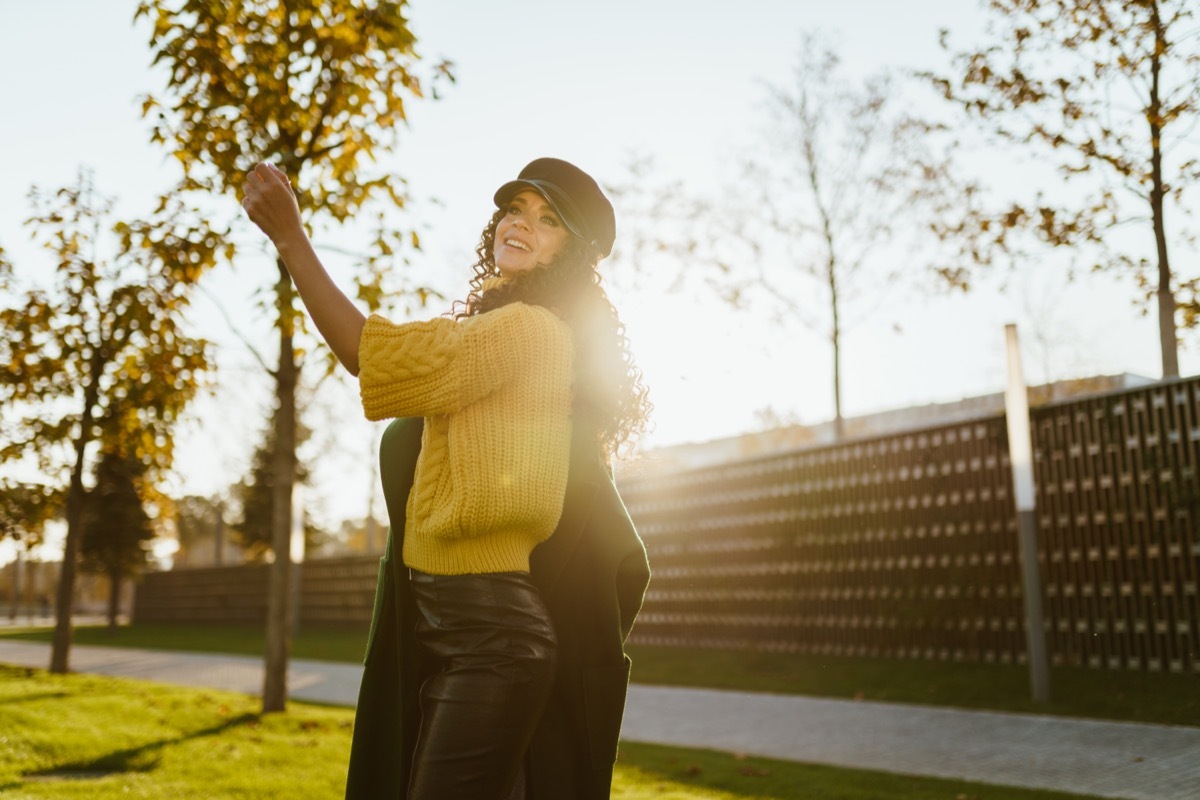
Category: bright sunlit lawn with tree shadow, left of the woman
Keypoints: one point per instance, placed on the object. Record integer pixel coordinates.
(98, 738)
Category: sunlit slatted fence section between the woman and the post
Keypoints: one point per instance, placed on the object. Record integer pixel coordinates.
(898, 546)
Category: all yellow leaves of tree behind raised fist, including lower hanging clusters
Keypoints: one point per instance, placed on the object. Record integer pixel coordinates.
(317, 88)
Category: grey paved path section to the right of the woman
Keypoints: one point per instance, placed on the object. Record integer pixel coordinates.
(1106, 760)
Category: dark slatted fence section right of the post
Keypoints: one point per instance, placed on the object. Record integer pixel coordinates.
(1119, 518)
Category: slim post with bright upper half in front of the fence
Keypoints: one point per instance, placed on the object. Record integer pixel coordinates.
(1021, 448)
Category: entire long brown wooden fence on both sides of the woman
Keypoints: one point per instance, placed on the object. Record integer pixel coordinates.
(901, 546)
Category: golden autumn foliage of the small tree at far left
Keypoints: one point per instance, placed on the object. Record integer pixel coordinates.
(103, 345)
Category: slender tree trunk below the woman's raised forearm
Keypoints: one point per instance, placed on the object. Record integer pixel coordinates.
(279, 603)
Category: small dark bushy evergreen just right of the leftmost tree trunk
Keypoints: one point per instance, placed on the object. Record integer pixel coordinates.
(117, 530)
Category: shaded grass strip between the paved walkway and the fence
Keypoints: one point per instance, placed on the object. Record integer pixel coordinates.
(1100, 694)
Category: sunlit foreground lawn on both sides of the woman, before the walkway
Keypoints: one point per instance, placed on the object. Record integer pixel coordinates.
(106, 738)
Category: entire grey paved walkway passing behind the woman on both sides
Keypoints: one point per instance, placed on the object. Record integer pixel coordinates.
(1107, 760)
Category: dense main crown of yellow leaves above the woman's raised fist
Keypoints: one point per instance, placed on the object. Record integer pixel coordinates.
(319, 82)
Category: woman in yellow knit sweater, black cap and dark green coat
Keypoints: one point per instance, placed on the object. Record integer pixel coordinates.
(524, 395)
